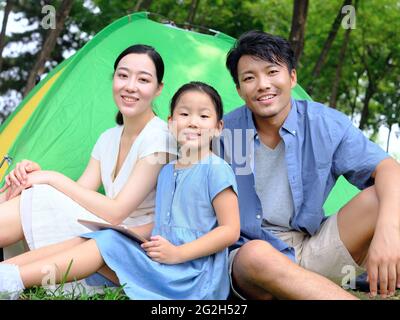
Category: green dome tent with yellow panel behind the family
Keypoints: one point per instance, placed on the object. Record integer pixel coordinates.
(58, 123)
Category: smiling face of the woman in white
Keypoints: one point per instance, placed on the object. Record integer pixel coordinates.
(135, 84)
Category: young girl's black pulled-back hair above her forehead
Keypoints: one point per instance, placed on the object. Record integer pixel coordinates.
(202, 87)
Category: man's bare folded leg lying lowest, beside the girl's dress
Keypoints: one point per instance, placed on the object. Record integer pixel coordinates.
(260, 271)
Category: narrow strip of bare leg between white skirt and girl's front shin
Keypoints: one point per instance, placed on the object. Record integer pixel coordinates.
(44, 252)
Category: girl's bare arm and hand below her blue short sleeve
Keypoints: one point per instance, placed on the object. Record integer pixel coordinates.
(227, 233)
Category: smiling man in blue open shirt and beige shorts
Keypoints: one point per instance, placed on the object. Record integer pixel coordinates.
(294, 152)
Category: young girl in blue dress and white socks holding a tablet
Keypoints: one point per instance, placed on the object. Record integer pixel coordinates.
(197, 218)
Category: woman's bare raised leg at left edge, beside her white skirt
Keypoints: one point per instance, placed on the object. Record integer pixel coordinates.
(10, 222)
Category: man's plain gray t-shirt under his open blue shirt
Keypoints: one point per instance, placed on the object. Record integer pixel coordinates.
(272, 187)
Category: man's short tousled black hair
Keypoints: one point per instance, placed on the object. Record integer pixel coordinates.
(262, 45)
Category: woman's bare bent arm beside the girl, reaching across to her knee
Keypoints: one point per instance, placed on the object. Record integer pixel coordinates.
(141, 181)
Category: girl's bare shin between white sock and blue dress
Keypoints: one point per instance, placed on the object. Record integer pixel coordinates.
(86, 259)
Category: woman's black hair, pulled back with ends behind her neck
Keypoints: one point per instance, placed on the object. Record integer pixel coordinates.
(153, 55)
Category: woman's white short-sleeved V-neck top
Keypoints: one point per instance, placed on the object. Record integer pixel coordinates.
(155, 137)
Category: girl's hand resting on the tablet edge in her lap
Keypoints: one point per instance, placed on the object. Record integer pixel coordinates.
(161, 250)
